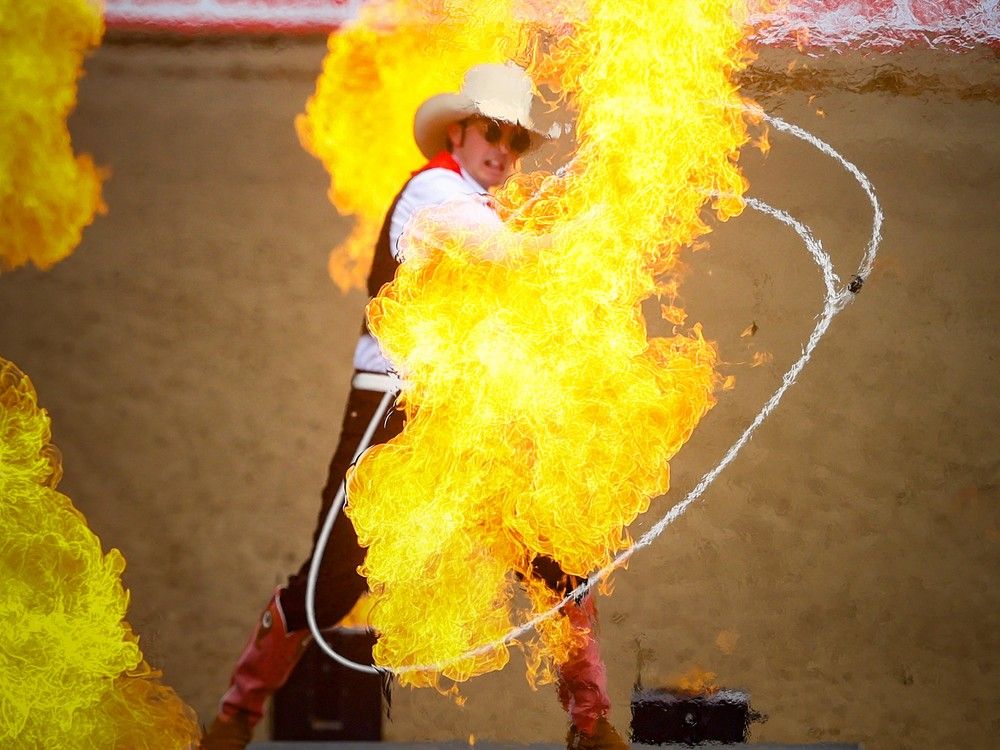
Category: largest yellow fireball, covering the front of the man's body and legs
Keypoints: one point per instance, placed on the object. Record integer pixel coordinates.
(540, 416)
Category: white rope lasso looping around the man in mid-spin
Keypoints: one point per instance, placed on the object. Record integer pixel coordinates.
(836, 299)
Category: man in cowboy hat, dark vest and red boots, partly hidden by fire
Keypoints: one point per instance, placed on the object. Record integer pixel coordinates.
(472, 140)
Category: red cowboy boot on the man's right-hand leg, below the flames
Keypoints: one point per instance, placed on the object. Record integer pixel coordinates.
(583, 686)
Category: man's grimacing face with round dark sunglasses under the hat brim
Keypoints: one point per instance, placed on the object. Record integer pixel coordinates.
(487, 149)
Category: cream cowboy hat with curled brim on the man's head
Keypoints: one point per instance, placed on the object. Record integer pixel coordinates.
(498, 91)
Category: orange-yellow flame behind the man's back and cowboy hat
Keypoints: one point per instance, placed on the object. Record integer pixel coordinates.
(376, 73)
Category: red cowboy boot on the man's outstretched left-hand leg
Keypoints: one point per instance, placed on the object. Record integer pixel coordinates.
(263, 667)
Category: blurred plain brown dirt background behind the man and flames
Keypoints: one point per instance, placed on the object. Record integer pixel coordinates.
(194, 357)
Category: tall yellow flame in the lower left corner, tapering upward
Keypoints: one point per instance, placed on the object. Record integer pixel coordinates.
(71, 672)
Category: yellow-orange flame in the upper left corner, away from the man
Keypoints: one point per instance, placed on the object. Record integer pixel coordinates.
(47, 195)
